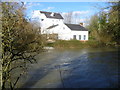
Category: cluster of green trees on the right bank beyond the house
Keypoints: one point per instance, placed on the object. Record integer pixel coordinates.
(104, 26)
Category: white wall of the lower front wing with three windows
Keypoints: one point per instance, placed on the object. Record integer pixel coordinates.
(64, 33)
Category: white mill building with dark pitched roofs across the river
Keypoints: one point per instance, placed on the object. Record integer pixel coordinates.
(52, 23)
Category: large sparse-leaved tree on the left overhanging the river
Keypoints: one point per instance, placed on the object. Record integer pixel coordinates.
(21, 42)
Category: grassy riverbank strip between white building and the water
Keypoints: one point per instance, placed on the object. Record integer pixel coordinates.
(72, 44)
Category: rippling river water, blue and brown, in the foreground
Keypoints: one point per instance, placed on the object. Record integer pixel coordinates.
(84, 68)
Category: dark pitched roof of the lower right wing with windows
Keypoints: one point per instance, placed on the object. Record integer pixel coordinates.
(76, 27)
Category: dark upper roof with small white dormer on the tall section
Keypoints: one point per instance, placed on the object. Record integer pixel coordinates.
(55, 16)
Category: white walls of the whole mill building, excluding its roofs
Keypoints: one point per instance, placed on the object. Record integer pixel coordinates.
(64, 33)
